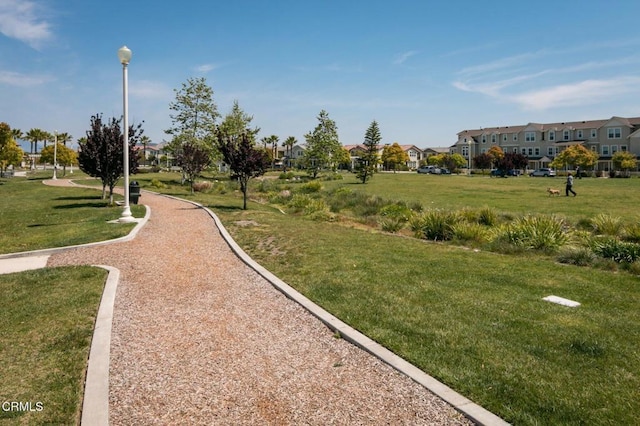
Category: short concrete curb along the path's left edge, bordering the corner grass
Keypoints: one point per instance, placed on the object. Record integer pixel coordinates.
(95, 405)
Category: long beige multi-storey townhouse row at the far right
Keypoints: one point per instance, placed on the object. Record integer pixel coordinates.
(542, 142)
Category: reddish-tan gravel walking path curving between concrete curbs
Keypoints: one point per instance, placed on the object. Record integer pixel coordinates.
(200, 338)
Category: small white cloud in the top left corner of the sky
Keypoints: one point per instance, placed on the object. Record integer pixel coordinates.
(19, 20)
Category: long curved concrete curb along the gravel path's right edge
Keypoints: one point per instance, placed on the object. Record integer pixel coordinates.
(464, 405)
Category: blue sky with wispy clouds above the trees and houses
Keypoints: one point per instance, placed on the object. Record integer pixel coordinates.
(424, 70)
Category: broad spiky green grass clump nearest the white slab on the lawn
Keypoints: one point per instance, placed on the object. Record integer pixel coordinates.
(546, 233)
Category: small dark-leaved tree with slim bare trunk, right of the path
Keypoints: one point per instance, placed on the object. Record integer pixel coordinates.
(245, 160)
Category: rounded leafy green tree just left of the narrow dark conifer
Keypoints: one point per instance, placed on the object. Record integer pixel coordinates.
(322, 145)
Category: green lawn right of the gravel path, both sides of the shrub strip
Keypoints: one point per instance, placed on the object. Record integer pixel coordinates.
(473, 319)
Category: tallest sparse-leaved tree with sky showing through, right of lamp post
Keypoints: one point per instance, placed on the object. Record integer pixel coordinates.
(193, 116)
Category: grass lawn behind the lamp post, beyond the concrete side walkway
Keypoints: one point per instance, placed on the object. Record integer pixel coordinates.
(35, 216)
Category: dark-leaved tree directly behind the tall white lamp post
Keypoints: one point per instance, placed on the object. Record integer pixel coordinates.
(101, 154)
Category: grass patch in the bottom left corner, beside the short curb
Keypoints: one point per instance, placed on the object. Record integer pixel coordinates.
(46, 323)
